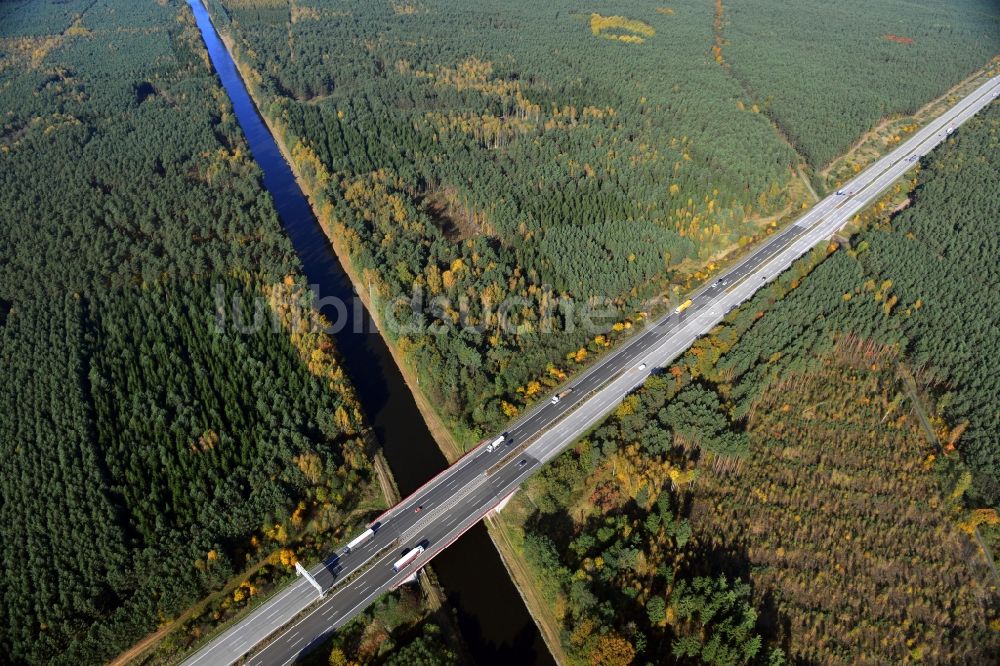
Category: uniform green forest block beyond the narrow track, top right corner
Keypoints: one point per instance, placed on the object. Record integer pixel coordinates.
(826, 73)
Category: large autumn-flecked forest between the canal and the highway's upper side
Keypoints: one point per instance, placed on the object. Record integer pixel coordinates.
(463, 156)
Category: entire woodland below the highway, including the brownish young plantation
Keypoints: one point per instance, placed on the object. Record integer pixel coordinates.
(831, 447)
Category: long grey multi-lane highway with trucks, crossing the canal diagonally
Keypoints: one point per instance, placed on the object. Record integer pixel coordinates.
(296, 619)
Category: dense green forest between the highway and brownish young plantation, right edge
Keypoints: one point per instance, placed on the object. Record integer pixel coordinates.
(924, 281)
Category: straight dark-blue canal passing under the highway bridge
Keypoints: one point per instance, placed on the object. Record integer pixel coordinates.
(492, 617)
